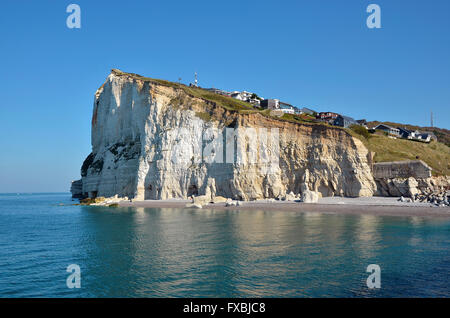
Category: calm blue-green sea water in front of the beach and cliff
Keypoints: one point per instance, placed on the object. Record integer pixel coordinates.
(136, 252)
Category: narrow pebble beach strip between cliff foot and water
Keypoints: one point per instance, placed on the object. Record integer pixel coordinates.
(378, 206)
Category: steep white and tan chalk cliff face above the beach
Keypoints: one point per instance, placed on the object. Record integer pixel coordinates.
(149, 140)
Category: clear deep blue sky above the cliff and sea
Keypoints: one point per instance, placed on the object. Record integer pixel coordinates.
(318, 54)
